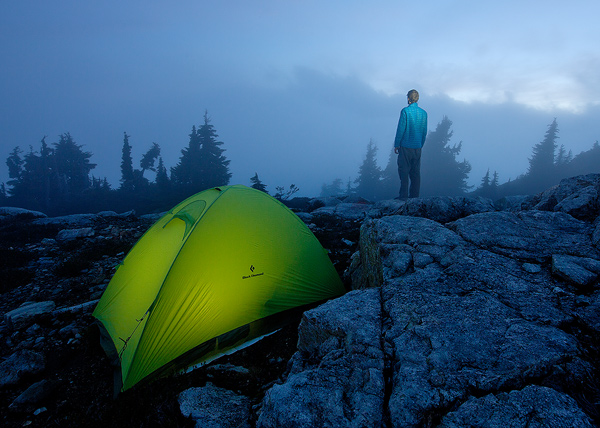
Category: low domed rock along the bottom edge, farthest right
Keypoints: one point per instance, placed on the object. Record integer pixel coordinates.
(534, 406)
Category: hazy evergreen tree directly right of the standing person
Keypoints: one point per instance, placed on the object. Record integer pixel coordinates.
(441, 173)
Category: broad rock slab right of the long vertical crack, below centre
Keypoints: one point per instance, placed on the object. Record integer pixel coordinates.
(446, 345)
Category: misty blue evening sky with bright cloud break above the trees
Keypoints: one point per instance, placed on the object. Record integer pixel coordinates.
(297, 89)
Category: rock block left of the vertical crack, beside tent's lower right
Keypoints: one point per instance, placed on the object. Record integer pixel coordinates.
(336, 378)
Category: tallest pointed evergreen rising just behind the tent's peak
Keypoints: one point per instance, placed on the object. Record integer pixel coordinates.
(214, 166)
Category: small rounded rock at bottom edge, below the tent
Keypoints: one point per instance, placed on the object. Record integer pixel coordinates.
(213, 407)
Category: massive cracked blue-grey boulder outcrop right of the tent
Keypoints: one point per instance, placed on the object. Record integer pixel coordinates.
(482, 318)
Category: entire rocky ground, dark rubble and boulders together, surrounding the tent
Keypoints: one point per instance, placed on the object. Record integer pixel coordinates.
(464, 312)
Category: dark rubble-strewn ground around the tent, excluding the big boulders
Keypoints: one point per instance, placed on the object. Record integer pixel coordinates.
(53, 371)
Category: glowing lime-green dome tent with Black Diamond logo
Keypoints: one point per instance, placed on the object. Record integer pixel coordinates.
(220, 269)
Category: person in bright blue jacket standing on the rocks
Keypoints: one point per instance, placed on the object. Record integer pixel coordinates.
(410, 138)
